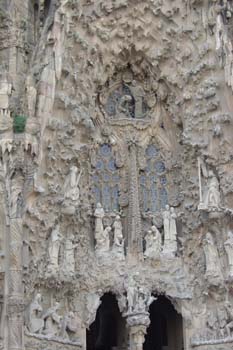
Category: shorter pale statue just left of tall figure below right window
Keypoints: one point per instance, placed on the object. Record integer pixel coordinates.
(153, 243)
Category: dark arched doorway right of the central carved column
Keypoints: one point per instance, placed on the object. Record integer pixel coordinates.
(165, 331)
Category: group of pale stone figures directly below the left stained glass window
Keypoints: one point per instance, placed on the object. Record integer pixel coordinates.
(102, 234)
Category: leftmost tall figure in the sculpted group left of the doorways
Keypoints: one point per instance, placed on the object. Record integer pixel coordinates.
(35, 320)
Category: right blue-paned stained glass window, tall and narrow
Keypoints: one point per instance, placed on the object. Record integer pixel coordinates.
(153, 182)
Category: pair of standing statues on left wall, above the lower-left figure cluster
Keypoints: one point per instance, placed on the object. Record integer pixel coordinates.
(68, 260)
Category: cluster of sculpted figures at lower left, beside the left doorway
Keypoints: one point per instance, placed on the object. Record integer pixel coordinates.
(49, 323)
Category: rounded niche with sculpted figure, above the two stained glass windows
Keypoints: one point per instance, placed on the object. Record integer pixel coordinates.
(126, 101)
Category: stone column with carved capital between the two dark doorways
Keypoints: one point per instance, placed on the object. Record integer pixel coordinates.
(137, 324)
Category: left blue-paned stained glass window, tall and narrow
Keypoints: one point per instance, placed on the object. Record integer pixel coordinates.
(106, 179)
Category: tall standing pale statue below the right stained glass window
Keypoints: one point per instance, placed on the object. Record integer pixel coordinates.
(170, 231)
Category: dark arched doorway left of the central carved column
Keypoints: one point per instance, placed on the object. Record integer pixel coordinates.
(108, 331)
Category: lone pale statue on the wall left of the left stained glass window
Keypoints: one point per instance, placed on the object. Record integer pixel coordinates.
(71, 185)
